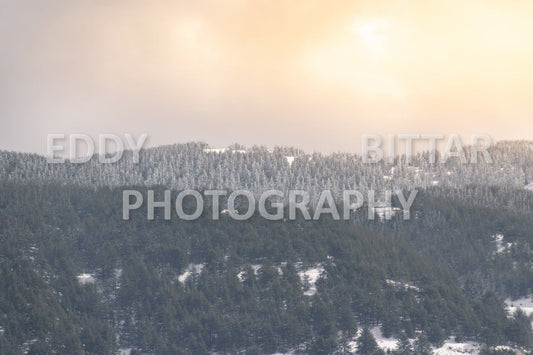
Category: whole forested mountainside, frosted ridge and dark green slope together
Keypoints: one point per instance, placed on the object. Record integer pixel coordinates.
(77, 278)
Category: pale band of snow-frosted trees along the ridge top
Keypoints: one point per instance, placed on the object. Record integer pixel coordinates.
(196, 165)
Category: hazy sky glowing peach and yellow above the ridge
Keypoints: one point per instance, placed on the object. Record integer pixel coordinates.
(313, 74)
